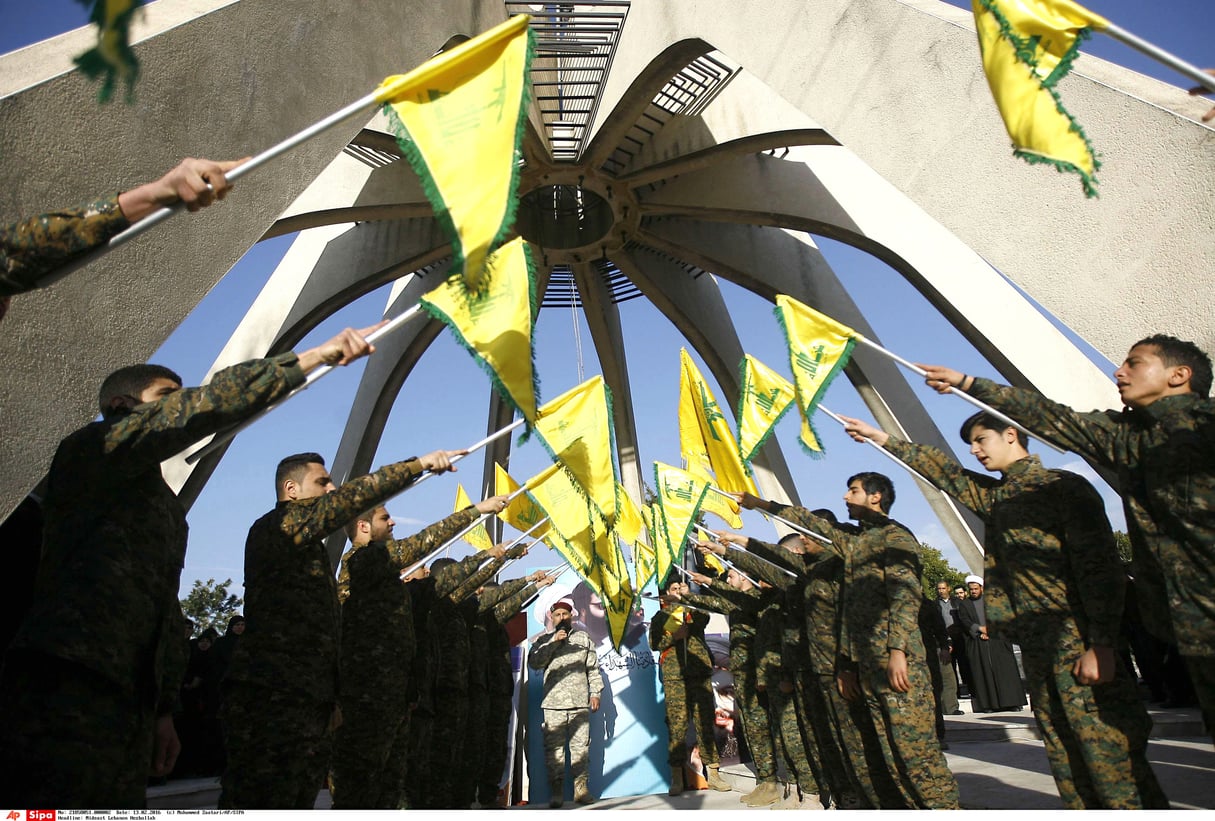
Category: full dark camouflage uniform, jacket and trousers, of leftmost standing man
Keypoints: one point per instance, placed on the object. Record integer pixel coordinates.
(100, 655)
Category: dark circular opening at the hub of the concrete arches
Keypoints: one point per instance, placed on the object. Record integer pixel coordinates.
(563, 217)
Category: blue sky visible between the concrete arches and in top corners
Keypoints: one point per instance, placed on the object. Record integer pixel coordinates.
(445, 400)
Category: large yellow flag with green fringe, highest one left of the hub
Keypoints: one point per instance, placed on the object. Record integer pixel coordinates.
(460, 121)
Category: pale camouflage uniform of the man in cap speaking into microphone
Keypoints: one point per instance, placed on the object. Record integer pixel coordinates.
(572, 681)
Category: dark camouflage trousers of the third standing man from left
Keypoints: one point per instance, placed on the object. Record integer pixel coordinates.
(366, 774)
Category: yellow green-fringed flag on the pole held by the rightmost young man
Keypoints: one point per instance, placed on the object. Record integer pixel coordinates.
(820, 348)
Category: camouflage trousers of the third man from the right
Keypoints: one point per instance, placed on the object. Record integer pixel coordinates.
(906, 731)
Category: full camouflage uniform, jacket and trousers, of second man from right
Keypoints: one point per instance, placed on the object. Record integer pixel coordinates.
(1053, 584)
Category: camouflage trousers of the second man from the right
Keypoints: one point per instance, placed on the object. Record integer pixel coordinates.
(1097, 737)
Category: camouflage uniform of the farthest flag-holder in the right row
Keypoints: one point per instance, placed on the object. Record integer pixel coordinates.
(743, 609)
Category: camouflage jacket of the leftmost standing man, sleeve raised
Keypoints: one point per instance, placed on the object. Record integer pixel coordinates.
(115, 541)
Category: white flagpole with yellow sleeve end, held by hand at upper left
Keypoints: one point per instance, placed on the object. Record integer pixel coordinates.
(380, 97)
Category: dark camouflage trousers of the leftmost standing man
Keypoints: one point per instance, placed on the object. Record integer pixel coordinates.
(71, 739)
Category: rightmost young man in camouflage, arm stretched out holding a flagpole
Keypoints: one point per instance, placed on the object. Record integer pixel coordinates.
(1162, 448)
